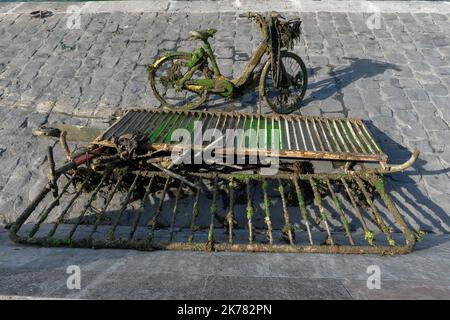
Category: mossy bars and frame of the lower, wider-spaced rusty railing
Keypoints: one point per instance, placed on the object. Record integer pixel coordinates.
(114, 181)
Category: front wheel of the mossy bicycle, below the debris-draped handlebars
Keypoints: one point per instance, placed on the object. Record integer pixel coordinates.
(288, 95)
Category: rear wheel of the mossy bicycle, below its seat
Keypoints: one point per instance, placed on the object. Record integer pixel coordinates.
(163, 76)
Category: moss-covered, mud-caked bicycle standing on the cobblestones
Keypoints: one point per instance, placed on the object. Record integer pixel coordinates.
(183, 80)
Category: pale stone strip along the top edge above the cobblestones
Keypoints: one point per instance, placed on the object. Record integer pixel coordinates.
(204, 6)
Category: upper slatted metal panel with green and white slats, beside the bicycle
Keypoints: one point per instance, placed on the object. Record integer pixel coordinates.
(297, 136)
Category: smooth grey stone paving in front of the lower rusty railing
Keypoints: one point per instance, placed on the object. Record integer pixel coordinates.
(122, 274)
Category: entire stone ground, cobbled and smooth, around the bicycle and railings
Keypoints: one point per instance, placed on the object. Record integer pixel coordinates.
(385, 62)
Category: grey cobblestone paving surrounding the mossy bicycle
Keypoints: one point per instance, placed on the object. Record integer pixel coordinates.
(396, 77)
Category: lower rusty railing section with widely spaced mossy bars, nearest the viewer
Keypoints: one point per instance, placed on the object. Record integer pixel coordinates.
(146, 210)
